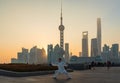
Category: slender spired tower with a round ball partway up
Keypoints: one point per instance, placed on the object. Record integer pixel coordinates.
(61, 28)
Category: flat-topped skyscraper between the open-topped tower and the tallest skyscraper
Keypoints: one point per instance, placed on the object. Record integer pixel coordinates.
(94, 49)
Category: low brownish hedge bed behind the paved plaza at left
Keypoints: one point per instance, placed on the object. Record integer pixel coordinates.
(27, 67)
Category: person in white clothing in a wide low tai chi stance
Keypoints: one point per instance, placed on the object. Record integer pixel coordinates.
(61, 69)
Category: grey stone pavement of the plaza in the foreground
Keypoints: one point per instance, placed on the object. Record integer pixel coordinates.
(99, 75)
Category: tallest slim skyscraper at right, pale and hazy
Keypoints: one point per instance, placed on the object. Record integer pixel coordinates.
(99, 35)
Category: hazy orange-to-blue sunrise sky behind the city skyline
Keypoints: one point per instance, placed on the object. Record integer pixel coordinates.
(30, 23)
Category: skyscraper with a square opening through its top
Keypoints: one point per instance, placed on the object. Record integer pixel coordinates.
(85, 44)
